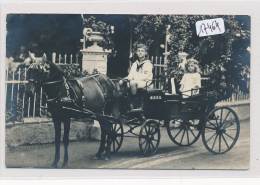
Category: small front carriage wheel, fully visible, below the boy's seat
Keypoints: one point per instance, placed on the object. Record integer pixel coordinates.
(149, 137)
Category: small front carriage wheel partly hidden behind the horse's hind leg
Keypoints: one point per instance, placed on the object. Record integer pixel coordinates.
(117, 135)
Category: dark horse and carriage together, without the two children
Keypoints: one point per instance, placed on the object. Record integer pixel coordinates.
(99, 97)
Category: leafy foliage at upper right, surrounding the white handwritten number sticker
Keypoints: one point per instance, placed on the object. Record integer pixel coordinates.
(226, 53)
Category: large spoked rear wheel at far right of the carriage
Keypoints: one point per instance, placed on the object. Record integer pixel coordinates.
(221, 130)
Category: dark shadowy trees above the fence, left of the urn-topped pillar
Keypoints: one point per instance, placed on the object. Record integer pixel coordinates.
(52, 32)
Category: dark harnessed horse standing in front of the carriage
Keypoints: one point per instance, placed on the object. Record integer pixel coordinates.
(94, 94)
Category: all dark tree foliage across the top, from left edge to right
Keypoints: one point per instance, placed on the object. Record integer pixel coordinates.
(226, 53)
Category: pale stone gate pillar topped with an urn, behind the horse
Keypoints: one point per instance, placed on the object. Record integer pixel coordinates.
(94, 56)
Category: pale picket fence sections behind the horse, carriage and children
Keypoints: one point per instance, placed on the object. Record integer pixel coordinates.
(17, 101)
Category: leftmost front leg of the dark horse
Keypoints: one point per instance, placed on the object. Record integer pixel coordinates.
(57, 127)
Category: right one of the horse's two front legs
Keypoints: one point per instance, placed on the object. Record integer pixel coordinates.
(66, 141)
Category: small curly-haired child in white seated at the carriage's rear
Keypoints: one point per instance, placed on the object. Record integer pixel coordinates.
(191, 80)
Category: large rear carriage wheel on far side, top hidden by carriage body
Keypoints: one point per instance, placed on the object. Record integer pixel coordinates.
(184, 132)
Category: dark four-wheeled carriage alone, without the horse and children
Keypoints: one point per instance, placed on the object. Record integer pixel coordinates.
(185, 119)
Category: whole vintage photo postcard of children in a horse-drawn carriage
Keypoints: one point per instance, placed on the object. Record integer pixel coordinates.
(127, 91)
